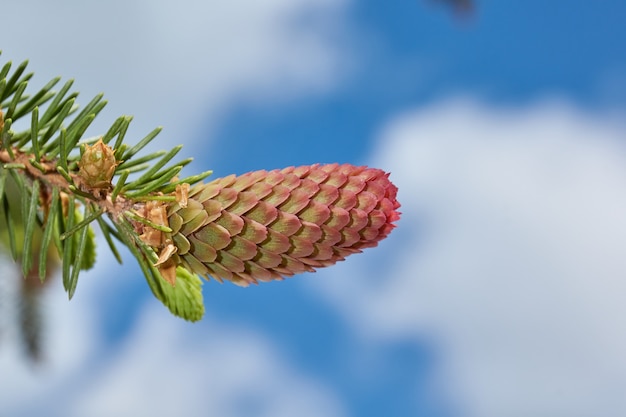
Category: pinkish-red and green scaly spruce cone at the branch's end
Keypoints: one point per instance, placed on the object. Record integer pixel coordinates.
(264, 225)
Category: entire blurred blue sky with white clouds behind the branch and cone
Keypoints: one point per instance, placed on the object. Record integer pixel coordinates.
(499, 294)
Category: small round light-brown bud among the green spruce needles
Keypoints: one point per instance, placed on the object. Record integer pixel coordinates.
(97, 165)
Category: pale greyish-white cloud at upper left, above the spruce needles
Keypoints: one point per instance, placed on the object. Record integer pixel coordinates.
(180, 65)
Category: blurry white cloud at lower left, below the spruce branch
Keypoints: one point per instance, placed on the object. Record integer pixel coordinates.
(165, 367)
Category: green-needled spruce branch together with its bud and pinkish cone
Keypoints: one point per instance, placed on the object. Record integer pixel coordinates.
(55, 185)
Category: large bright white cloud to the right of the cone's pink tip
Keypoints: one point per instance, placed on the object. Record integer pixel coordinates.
(509, 255)
